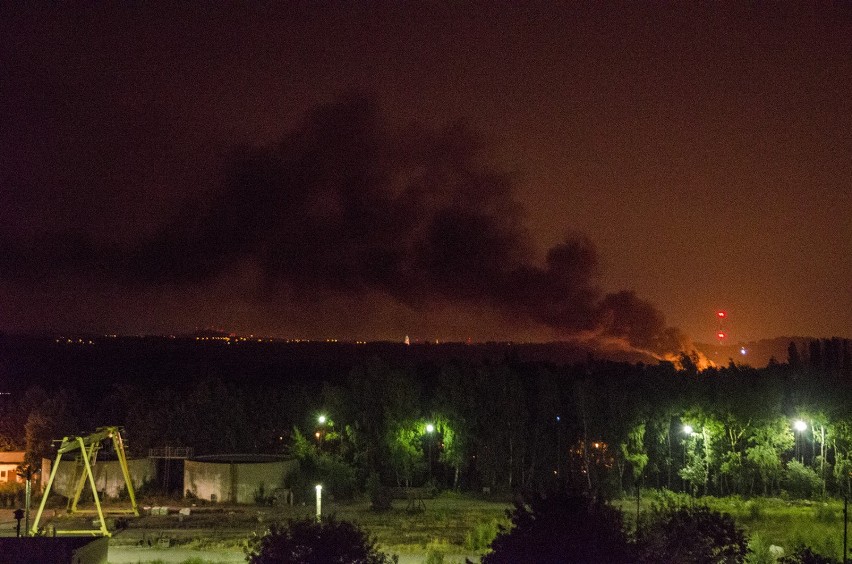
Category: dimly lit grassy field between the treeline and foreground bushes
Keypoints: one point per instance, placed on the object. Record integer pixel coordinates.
(460, 526)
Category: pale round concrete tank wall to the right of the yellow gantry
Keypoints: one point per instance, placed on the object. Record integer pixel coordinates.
(234, 481)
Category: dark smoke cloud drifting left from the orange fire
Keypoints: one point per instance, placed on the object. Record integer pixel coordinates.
(344, 204)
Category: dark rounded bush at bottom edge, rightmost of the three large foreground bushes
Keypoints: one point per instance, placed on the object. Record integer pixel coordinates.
(691, 534)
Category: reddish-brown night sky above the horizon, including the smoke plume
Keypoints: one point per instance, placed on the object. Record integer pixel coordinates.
(374, 170)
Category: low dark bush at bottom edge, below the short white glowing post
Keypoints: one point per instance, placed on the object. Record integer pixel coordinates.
(307, 541)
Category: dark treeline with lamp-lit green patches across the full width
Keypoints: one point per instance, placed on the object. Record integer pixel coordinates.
(506, 425)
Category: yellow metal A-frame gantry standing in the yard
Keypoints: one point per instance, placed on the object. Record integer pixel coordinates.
(87, 448)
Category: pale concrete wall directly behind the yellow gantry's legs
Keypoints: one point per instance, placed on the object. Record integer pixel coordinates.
(108, 476)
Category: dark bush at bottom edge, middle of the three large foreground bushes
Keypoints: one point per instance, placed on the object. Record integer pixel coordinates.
(562, 528)
